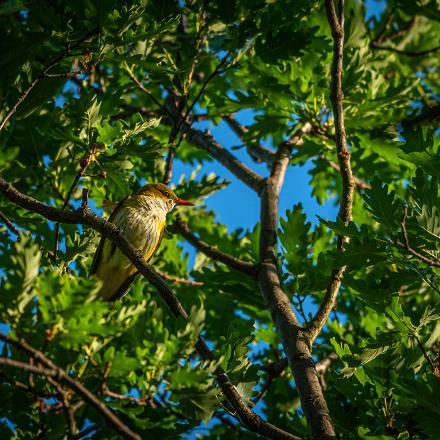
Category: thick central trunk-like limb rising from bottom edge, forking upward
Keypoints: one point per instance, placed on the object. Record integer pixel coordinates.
(295, 343)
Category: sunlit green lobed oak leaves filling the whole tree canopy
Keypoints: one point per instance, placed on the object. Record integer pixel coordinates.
(109, 95)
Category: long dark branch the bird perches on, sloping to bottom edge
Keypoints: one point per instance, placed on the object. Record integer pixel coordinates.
(85, 217)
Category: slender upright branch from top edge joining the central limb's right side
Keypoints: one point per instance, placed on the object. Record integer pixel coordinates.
(348, 183)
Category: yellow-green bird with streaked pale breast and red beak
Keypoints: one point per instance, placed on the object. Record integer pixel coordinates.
(142, 219)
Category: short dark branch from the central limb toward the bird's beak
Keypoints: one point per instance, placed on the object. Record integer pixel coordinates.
(211, 251)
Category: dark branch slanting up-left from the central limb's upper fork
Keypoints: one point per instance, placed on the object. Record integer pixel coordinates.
(206, 142)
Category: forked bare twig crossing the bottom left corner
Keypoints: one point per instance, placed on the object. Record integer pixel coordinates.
(49, 369)
